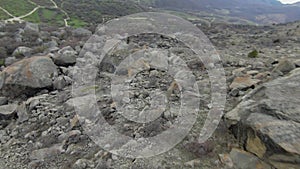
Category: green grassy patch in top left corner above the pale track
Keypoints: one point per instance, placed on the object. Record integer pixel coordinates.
(17, 7)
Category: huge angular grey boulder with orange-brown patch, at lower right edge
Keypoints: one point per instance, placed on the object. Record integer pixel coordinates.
(267, 120)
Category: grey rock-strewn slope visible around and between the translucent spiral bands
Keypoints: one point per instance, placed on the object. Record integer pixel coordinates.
(39, 127)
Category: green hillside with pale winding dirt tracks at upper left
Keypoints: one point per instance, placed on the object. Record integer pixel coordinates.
(76, 13)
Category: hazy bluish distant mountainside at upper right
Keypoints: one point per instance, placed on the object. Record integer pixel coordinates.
(258, 11)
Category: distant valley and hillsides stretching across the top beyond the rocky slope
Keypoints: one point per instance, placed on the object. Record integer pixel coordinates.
(80, 13)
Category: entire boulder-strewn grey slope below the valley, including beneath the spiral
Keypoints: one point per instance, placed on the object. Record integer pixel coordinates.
(50, 116)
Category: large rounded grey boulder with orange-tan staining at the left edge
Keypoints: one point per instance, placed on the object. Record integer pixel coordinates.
(26, 75)
